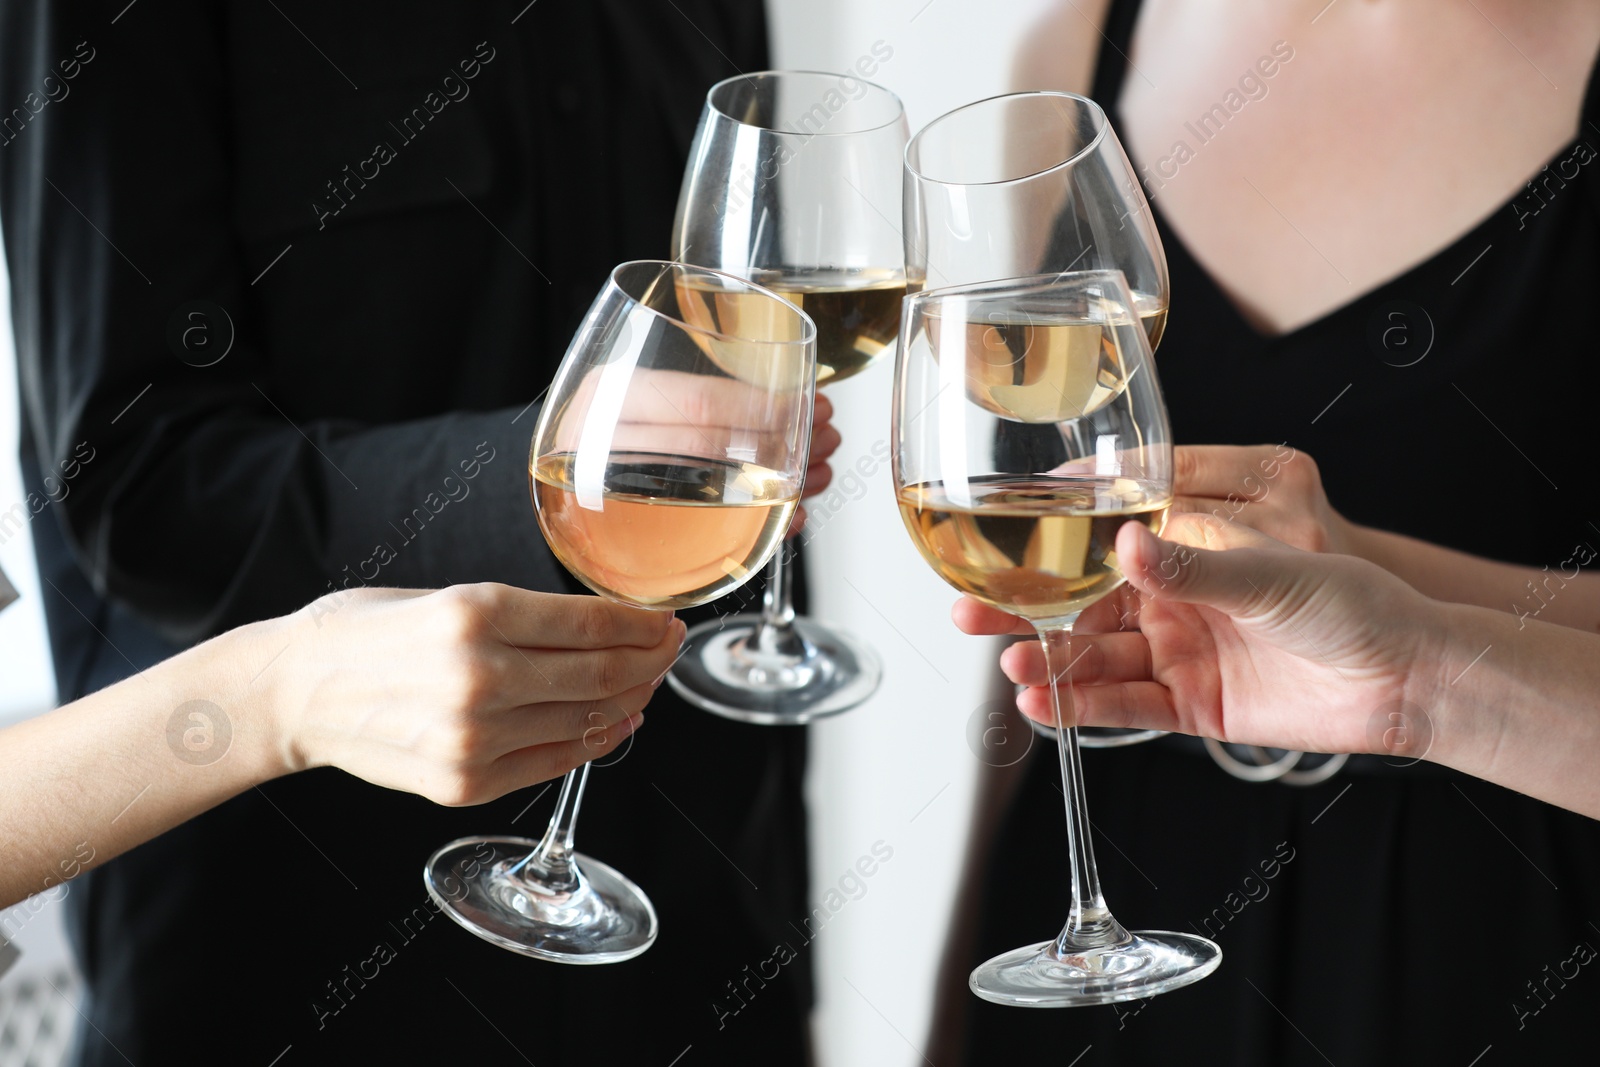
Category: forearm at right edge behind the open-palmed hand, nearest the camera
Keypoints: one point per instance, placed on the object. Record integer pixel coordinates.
(1518, 705)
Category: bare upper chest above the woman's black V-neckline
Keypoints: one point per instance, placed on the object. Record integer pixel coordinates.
(1308, 162)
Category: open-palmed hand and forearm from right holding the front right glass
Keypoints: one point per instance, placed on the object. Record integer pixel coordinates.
(1266, 645)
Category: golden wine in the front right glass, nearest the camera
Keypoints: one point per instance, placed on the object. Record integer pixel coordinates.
(1042, 548)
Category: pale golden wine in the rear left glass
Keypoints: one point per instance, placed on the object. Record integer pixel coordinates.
(857, 316)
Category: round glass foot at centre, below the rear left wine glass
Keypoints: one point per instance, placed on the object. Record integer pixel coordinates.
(724, 673)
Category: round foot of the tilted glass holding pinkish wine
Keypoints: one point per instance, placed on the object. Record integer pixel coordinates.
(606, 919)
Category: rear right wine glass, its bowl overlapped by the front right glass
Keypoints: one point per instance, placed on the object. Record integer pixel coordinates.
(1023, 185)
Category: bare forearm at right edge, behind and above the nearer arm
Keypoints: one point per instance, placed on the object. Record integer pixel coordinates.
(1559, 594)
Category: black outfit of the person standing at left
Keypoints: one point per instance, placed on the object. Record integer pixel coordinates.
(398, 215)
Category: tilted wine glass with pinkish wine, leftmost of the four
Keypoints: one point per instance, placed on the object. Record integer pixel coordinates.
(663, 478)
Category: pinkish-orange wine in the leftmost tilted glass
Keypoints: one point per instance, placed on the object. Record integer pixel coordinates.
(663, 532)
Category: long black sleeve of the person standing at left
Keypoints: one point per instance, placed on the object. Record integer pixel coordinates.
(190, 492)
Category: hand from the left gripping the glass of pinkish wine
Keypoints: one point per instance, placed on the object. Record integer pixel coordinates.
(466, 693)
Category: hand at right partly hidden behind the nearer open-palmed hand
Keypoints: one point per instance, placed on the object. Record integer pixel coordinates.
(1273, 489)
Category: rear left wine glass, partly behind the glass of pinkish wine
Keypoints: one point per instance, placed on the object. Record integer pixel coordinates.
(794, 182)
